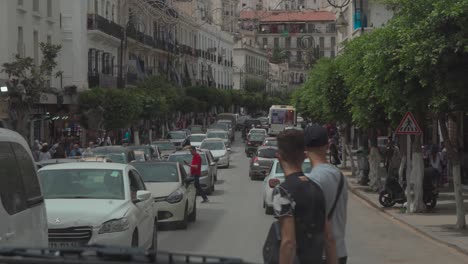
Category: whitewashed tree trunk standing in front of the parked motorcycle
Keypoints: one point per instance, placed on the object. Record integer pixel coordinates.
(417, 174)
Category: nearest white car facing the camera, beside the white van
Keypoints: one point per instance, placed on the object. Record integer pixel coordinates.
(98, 203)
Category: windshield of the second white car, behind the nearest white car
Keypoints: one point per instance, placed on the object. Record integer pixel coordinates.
(158, 172)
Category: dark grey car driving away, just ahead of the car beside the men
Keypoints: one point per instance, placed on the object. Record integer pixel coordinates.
(261, 162)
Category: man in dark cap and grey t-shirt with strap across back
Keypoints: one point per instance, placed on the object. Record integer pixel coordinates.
(333, 185)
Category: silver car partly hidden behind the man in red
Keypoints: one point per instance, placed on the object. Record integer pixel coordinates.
(208, 170)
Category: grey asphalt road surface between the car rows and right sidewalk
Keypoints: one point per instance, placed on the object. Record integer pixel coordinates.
(234, 224)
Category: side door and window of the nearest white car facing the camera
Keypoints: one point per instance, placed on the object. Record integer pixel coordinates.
(145, 212)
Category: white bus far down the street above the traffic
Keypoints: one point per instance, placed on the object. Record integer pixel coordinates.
(280, 117)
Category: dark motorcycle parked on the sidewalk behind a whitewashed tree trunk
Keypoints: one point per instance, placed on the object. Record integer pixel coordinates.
(394, 193)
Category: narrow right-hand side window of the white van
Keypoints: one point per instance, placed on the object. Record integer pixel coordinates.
(28, 173)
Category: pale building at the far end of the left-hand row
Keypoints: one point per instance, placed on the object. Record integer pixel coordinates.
(250, 65)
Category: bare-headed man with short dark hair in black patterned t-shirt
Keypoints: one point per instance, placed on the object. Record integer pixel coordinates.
(299, 205)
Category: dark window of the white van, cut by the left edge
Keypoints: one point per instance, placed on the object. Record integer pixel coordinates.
(12, 191)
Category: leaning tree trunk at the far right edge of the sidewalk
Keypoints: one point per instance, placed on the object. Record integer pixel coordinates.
(453, 155)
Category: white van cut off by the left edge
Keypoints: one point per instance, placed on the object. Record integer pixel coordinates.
(23, 220)
